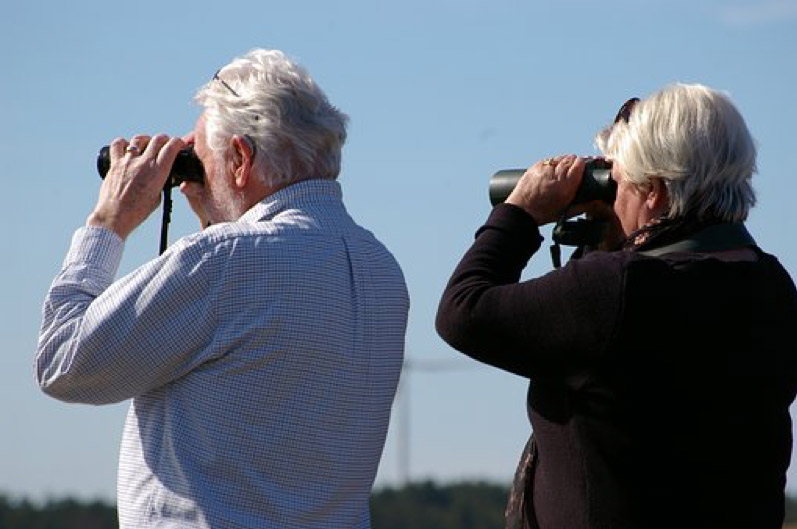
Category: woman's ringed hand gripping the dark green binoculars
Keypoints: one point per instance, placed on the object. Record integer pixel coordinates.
(548, 187)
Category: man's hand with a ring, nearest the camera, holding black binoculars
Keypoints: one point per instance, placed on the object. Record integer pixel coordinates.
(131, 189)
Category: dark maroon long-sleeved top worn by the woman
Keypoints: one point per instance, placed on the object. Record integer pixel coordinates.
(659, 386)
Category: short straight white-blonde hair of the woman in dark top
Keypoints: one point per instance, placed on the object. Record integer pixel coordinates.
(696, 141)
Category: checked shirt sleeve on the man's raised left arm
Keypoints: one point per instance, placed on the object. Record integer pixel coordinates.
(103, 341)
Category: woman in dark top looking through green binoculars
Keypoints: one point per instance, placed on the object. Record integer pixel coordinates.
(661, 372)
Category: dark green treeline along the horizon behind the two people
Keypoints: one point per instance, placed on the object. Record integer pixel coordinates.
(424, 505)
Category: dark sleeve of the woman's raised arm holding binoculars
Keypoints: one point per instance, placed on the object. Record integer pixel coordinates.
(556, 324)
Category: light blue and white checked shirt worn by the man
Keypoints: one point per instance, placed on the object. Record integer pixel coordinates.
(262, 357)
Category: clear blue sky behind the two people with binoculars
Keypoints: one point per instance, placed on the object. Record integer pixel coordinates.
(441, 94)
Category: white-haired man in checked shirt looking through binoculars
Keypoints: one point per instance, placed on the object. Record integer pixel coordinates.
(262, 353)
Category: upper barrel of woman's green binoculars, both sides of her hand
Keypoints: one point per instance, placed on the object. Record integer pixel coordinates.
(596, 183)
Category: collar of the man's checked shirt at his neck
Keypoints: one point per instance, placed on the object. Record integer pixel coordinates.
(306, 192)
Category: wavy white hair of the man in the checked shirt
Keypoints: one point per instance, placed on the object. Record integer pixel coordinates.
(297, 133)
